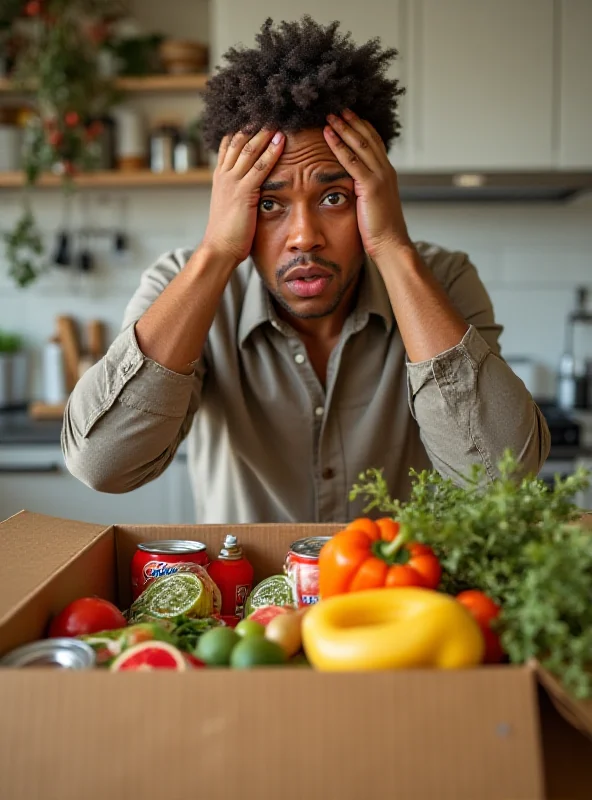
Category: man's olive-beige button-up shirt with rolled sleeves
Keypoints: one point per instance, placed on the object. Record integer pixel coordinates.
(267, 442)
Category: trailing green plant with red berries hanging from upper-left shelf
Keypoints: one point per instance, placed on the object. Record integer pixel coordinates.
(59, 61)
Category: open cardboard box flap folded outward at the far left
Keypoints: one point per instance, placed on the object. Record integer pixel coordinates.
(33, 548)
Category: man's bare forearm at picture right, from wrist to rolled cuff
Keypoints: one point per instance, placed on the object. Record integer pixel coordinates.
(428, 322)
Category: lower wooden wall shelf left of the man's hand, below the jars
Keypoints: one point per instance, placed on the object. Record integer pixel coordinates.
(115, 179)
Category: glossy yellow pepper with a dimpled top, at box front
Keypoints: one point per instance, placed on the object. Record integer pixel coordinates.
(400, 628)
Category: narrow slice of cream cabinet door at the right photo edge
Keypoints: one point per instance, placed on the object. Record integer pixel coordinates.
(575, 90)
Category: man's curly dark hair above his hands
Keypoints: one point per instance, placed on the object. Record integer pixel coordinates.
(299, 73)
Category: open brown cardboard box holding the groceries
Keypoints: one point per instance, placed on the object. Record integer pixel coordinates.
(481, 734)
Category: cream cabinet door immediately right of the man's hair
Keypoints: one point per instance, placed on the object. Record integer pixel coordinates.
(481, 79)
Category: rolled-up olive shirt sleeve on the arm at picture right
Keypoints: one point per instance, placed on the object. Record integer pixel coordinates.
(468, 403)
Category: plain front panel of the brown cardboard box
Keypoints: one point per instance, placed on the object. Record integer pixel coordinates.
(271, 733)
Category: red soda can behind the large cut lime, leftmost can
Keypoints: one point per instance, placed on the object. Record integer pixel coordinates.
(152, 560)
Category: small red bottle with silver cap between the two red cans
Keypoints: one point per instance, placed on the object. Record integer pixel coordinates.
(233, 575)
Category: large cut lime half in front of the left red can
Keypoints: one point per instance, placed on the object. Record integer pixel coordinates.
(171, 596)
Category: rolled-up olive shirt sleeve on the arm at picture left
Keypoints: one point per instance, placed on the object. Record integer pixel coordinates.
(127, 414)
